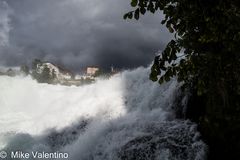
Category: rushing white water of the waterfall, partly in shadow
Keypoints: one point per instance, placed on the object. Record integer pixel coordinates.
(124, 117)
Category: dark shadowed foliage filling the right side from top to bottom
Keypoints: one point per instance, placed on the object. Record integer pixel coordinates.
(204, 55)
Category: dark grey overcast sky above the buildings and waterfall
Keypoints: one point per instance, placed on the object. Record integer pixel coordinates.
(78, 33)
